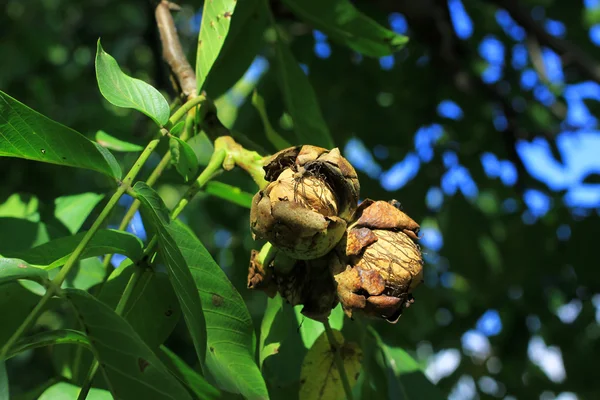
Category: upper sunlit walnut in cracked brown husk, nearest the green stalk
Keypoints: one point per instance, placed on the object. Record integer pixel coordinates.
(311, 196)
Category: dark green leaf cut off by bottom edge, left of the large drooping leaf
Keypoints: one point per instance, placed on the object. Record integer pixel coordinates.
(131, 369)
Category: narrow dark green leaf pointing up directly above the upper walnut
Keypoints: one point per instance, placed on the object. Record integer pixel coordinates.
(300, 99)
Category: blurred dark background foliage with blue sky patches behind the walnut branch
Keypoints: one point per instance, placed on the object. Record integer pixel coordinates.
(483, 127)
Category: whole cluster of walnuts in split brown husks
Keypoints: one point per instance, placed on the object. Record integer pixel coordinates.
(324, 247)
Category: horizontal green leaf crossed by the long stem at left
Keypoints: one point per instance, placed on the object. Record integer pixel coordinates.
(106, 241)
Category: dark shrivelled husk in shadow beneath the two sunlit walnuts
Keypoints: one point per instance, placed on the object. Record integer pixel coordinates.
(307, 282)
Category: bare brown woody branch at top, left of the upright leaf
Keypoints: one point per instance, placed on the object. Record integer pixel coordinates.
(172, 50)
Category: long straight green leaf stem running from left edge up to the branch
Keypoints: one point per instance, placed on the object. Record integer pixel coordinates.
(54, 286)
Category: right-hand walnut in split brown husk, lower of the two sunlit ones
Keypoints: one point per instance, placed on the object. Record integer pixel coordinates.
(378, 265)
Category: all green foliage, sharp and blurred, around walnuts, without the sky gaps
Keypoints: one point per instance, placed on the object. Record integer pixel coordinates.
(490, 260)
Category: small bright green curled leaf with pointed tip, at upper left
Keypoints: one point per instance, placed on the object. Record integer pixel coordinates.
(127, 92)
